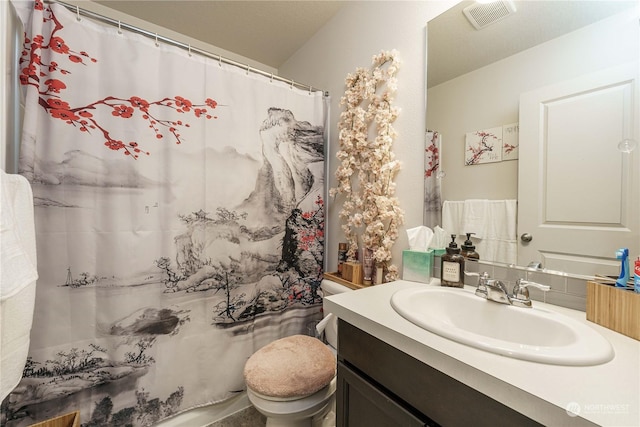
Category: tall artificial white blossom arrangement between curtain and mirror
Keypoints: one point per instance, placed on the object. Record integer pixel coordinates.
(367, 165)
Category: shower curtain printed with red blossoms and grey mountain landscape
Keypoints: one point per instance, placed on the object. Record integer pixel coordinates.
(179, 221)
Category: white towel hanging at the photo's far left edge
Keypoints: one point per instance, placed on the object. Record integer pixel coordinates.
(18, 274)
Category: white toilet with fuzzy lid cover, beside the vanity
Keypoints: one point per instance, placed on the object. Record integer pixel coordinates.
(280, 384)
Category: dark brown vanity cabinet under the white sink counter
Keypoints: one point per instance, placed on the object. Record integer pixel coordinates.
(379, 385)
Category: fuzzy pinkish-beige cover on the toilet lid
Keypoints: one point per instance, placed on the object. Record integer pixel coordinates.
(294, 366)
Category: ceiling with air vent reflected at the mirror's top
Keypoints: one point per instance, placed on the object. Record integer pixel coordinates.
(455, 47)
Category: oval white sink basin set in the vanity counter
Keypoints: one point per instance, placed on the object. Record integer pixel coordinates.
(533, 334)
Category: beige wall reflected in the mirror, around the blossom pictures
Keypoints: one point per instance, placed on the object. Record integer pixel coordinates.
(490, 96)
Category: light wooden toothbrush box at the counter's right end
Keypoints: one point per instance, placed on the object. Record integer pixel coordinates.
(614, 308)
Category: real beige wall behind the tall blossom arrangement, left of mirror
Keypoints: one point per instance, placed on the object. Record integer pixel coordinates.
(357, 32)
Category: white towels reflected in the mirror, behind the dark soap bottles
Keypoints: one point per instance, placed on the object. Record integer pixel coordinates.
(492, 221)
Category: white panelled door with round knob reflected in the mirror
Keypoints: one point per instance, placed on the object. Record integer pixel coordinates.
(578, 195)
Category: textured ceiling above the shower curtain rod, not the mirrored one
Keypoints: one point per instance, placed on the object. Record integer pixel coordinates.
(269, 32)
